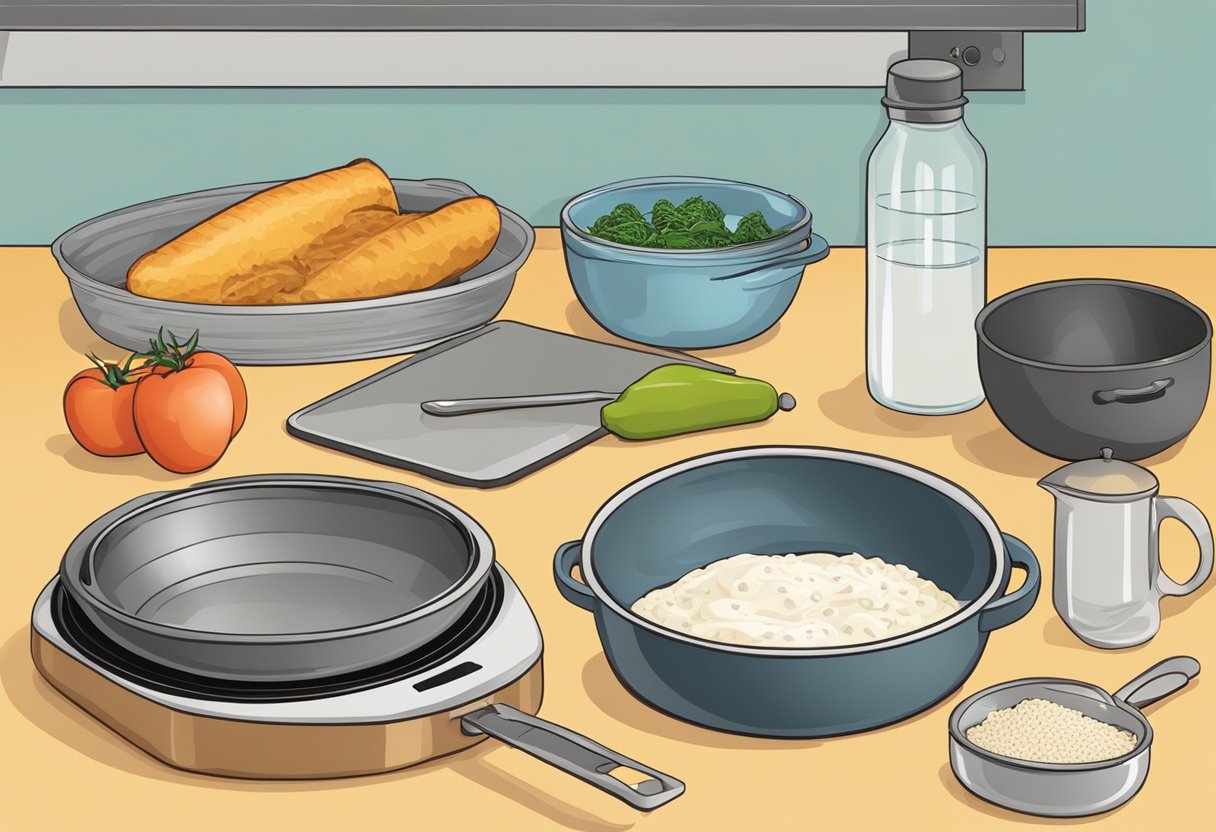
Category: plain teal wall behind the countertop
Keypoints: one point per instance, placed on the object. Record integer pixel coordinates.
(1111, 144)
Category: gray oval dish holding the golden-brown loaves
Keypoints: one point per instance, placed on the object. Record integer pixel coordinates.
(97, 255)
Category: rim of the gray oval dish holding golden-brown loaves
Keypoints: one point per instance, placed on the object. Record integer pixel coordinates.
(402, 299)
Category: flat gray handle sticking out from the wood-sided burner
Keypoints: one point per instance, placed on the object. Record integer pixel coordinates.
(573, 754)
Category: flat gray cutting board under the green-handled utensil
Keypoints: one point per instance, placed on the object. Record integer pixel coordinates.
(380, 418)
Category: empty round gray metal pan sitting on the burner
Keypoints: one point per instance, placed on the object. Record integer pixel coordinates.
(277, 578)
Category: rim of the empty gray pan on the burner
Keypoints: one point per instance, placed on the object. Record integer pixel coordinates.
(477, 536)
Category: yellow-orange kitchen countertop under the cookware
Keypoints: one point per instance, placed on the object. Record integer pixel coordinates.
(61, 771)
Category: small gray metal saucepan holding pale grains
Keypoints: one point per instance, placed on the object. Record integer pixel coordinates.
(1057, 790)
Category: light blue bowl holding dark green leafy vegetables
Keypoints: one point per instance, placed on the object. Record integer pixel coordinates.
(690, 299)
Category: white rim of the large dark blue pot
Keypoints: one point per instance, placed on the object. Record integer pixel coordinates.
(920, 475)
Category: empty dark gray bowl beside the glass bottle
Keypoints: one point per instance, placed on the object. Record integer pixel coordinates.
(1074, 367)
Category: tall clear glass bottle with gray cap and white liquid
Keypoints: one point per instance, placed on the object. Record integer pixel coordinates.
(926, 246)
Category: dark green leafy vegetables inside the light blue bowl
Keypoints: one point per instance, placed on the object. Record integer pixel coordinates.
(696, 223)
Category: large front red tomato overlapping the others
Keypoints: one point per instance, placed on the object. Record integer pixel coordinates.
(184, 418)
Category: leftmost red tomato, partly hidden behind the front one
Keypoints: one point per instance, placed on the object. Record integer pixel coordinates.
(100, 417)
